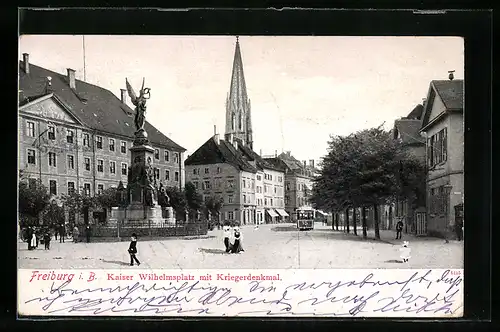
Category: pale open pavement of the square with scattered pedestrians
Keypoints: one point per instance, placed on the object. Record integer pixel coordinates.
(276, 246)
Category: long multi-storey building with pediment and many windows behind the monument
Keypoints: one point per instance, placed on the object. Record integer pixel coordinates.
(76, 136)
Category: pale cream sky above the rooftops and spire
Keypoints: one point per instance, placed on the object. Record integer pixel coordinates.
(302, 89)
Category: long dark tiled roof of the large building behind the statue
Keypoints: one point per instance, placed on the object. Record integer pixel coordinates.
(96, 107)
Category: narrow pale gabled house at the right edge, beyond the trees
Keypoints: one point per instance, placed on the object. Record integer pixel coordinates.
(443, 125)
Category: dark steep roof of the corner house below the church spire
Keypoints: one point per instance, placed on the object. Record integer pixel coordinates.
(212, 153)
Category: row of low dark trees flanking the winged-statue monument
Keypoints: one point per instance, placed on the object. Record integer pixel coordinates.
(37, 206)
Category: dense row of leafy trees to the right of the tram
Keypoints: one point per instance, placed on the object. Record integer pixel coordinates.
(367, 169)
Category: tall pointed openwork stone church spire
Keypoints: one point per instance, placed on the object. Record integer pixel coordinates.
(238, 118)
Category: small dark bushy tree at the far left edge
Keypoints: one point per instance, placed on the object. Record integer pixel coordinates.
(33, 198)
